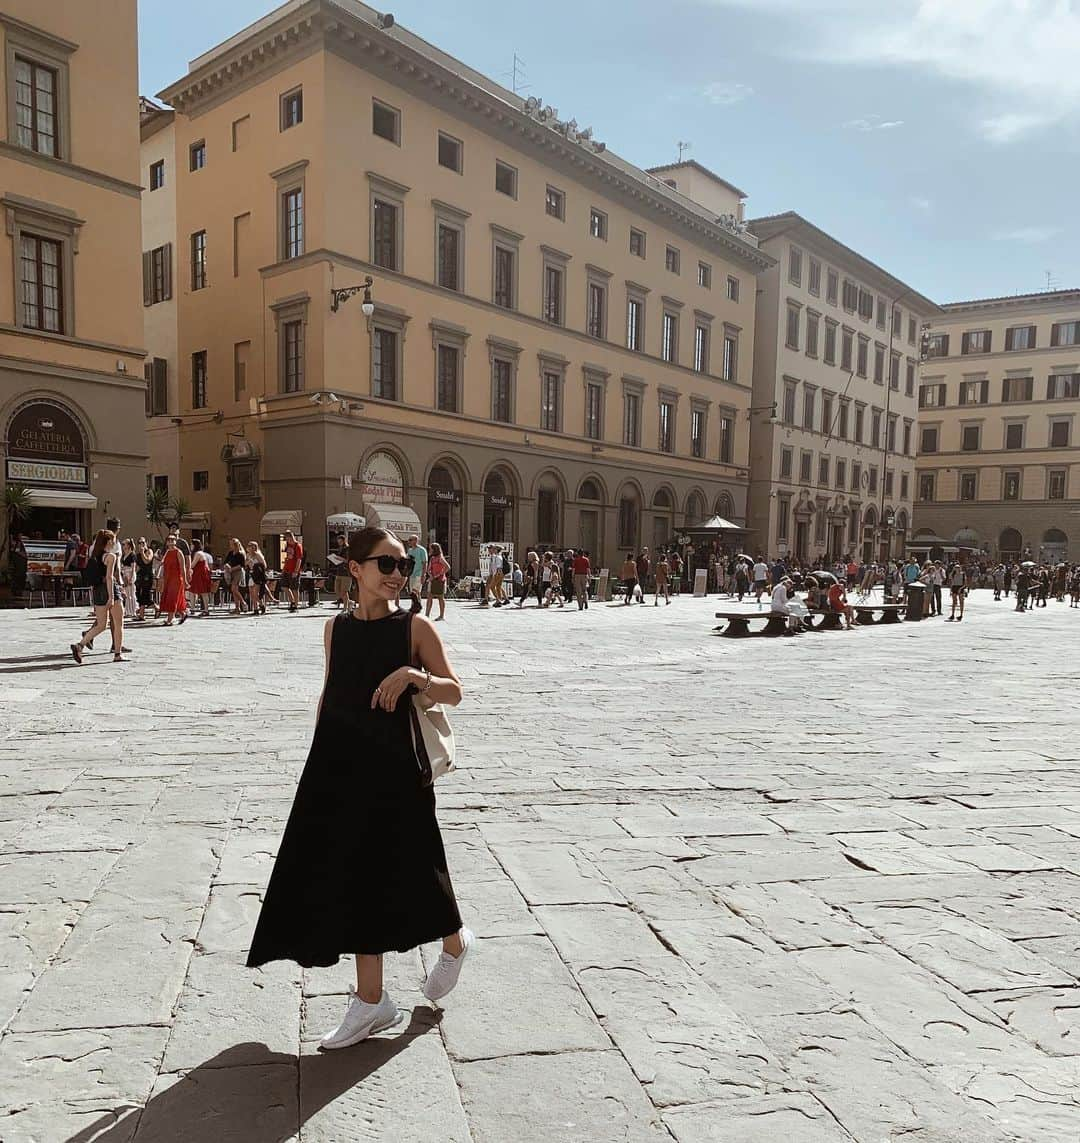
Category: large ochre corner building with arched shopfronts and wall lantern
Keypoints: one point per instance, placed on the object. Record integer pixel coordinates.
(559, 351)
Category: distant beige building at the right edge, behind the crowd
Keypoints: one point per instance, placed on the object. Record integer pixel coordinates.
(999, 441)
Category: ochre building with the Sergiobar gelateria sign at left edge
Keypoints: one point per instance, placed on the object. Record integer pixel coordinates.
(73, 425)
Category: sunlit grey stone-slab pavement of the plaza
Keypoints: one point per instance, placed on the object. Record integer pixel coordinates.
(811, 890)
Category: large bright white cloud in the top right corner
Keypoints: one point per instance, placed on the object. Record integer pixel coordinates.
(1019, 54)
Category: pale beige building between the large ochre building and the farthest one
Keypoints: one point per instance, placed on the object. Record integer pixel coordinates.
(833, 427)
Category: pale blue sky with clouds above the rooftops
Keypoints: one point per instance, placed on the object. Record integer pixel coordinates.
(937, 138)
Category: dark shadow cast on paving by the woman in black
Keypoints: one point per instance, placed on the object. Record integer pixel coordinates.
(250, 1094)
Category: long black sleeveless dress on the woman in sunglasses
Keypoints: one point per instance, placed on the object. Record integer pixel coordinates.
(362, 866)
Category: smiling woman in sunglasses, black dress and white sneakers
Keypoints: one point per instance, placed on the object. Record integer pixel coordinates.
(362, 867)
